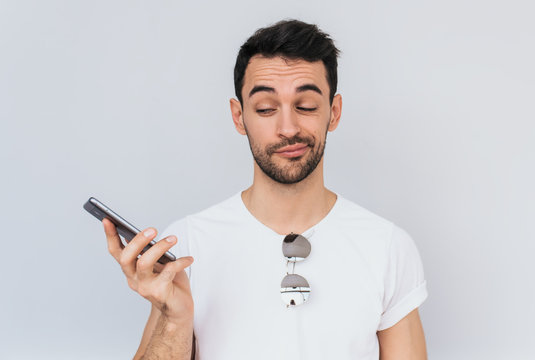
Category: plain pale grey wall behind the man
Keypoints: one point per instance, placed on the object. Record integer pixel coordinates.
(127, 101)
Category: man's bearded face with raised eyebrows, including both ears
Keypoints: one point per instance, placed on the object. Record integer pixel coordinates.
(286, 114)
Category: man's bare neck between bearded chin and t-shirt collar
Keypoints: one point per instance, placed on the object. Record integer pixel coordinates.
(287, 208)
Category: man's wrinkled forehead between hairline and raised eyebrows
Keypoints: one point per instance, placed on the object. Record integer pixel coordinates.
(284, 72)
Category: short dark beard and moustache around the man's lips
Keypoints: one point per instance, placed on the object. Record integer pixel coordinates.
(298, 168)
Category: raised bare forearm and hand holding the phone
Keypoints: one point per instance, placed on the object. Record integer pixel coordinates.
(169, 330)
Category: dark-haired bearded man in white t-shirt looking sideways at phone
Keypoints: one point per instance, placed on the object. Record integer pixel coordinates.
(286, 269)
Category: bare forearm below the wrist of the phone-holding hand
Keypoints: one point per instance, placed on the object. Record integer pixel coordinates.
(170, 340)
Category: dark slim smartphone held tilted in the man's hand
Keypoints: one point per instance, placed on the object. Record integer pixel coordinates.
(124, 228)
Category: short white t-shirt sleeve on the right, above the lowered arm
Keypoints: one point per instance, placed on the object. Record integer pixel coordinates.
(405, 286)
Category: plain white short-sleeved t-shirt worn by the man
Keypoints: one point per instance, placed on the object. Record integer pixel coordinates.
(365, 275)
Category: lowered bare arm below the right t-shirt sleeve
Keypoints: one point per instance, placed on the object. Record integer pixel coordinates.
(403, 341)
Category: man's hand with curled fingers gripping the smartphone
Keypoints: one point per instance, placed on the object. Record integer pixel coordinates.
(166, 287)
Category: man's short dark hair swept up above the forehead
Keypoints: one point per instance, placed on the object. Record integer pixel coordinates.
(289, 39)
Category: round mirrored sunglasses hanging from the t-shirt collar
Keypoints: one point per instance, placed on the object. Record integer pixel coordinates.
(294, 288)
